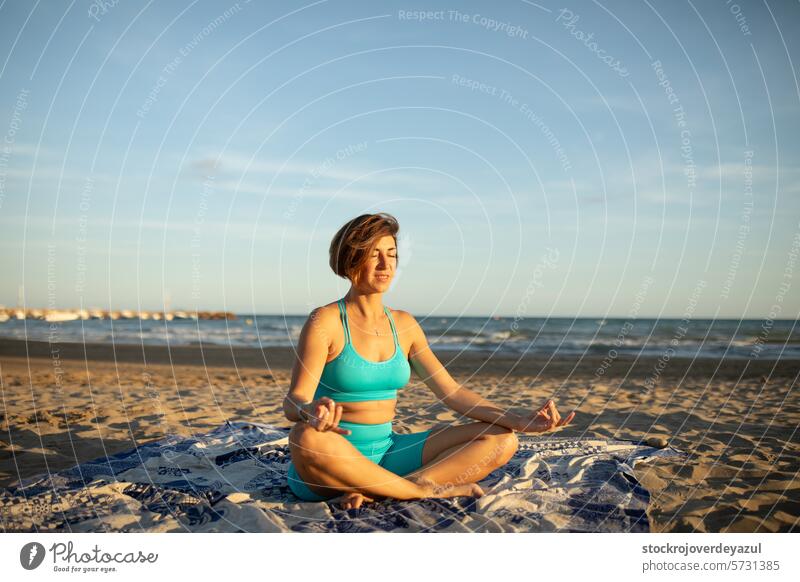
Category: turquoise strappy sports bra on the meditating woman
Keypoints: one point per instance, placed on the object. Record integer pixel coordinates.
(351, 378)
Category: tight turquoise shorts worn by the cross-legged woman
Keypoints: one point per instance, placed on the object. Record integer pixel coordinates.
(395, 452)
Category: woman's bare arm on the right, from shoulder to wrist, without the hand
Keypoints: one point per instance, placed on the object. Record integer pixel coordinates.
(455, 396)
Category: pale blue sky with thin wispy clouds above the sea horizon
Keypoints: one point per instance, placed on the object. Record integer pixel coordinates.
(573, 159)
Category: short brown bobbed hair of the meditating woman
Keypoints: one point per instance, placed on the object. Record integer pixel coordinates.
(352, 245)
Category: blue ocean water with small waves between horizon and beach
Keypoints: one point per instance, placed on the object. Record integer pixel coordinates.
(700, 338)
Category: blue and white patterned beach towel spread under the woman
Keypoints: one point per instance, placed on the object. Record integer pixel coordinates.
(233, 479)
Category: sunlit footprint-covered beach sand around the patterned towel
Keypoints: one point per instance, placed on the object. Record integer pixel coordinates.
(71, 403)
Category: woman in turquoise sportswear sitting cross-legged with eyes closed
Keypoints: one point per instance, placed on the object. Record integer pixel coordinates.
(353, 356)
